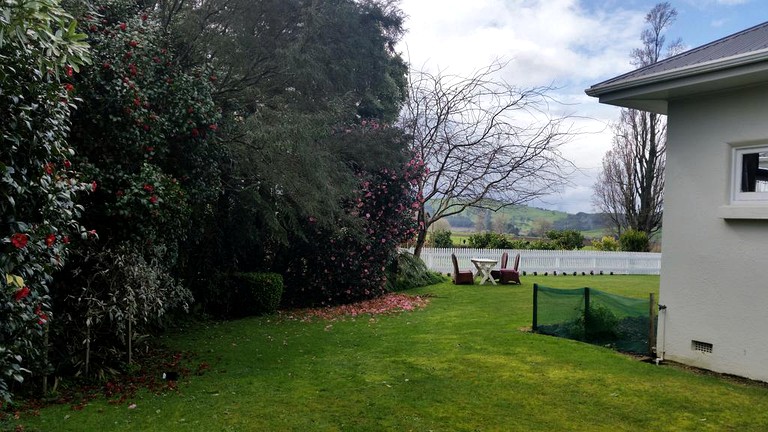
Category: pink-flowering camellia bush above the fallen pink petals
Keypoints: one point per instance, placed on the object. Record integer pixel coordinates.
(348, 263)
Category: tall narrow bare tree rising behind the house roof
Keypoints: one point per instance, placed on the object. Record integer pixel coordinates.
(630, 188)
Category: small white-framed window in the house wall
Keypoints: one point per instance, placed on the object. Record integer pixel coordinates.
(750, 171)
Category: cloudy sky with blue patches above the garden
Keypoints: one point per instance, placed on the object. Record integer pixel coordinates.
(569, 45)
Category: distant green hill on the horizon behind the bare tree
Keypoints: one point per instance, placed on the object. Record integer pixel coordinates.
(524, 220)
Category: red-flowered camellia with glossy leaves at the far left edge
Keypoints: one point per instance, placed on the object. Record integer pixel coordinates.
(40, 52)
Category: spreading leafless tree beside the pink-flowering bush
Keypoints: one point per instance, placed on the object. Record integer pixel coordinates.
(487, 144)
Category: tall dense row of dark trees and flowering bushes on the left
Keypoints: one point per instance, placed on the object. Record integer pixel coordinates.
(156, 153)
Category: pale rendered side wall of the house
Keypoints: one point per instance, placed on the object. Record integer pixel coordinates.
(713, 275)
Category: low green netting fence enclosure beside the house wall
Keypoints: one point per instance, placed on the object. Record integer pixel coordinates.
(593, 316)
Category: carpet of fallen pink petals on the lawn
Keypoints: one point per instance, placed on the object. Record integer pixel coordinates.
(387, 304)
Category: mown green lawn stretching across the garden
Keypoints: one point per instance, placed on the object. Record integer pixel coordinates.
(461, 364)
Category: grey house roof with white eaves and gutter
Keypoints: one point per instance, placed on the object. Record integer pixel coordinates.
(737, 60)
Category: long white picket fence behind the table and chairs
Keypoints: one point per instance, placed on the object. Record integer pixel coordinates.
(439, 260)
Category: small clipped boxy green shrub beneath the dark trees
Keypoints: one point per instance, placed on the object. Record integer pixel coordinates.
(256, 293)
